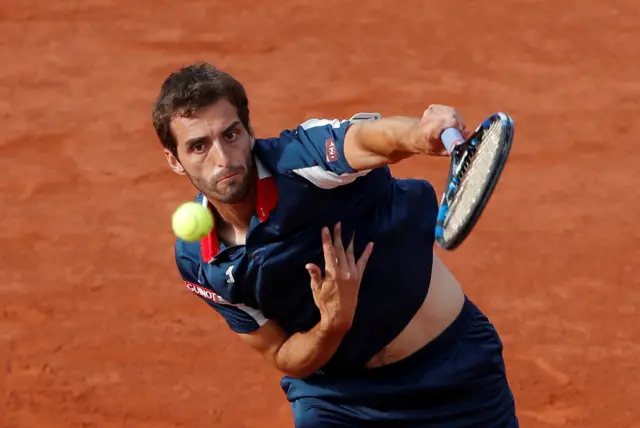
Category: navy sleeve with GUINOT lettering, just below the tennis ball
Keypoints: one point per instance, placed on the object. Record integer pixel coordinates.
(239, 317)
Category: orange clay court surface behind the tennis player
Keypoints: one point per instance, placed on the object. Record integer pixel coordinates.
(96, 327)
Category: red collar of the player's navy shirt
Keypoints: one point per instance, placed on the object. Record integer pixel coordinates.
(266, 201)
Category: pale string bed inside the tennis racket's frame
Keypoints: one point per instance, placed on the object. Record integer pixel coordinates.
(474, 175)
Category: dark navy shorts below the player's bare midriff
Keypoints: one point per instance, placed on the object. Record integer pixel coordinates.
(457, 380)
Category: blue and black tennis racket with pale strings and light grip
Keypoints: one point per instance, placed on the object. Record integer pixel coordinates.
(476, 166)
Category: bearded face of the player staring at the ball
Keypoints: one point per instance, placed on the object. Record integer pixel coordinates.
(214, 151)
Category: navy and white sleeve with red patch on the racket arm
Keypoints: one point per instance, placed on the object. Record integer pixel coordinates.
(316, 151)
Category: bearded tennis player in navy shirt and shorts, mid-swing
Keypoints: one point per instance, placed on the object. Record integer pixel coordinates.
(324, 263)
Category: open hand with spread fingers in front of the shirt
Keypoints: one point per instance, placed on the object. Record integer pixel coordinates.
(336, 295)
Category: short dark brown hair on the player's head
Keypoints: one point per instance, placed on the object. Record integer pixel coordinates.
(191, 88)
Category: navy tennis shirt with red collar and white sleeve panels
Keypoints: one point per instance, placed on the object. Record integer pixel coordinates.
(306, 183)
